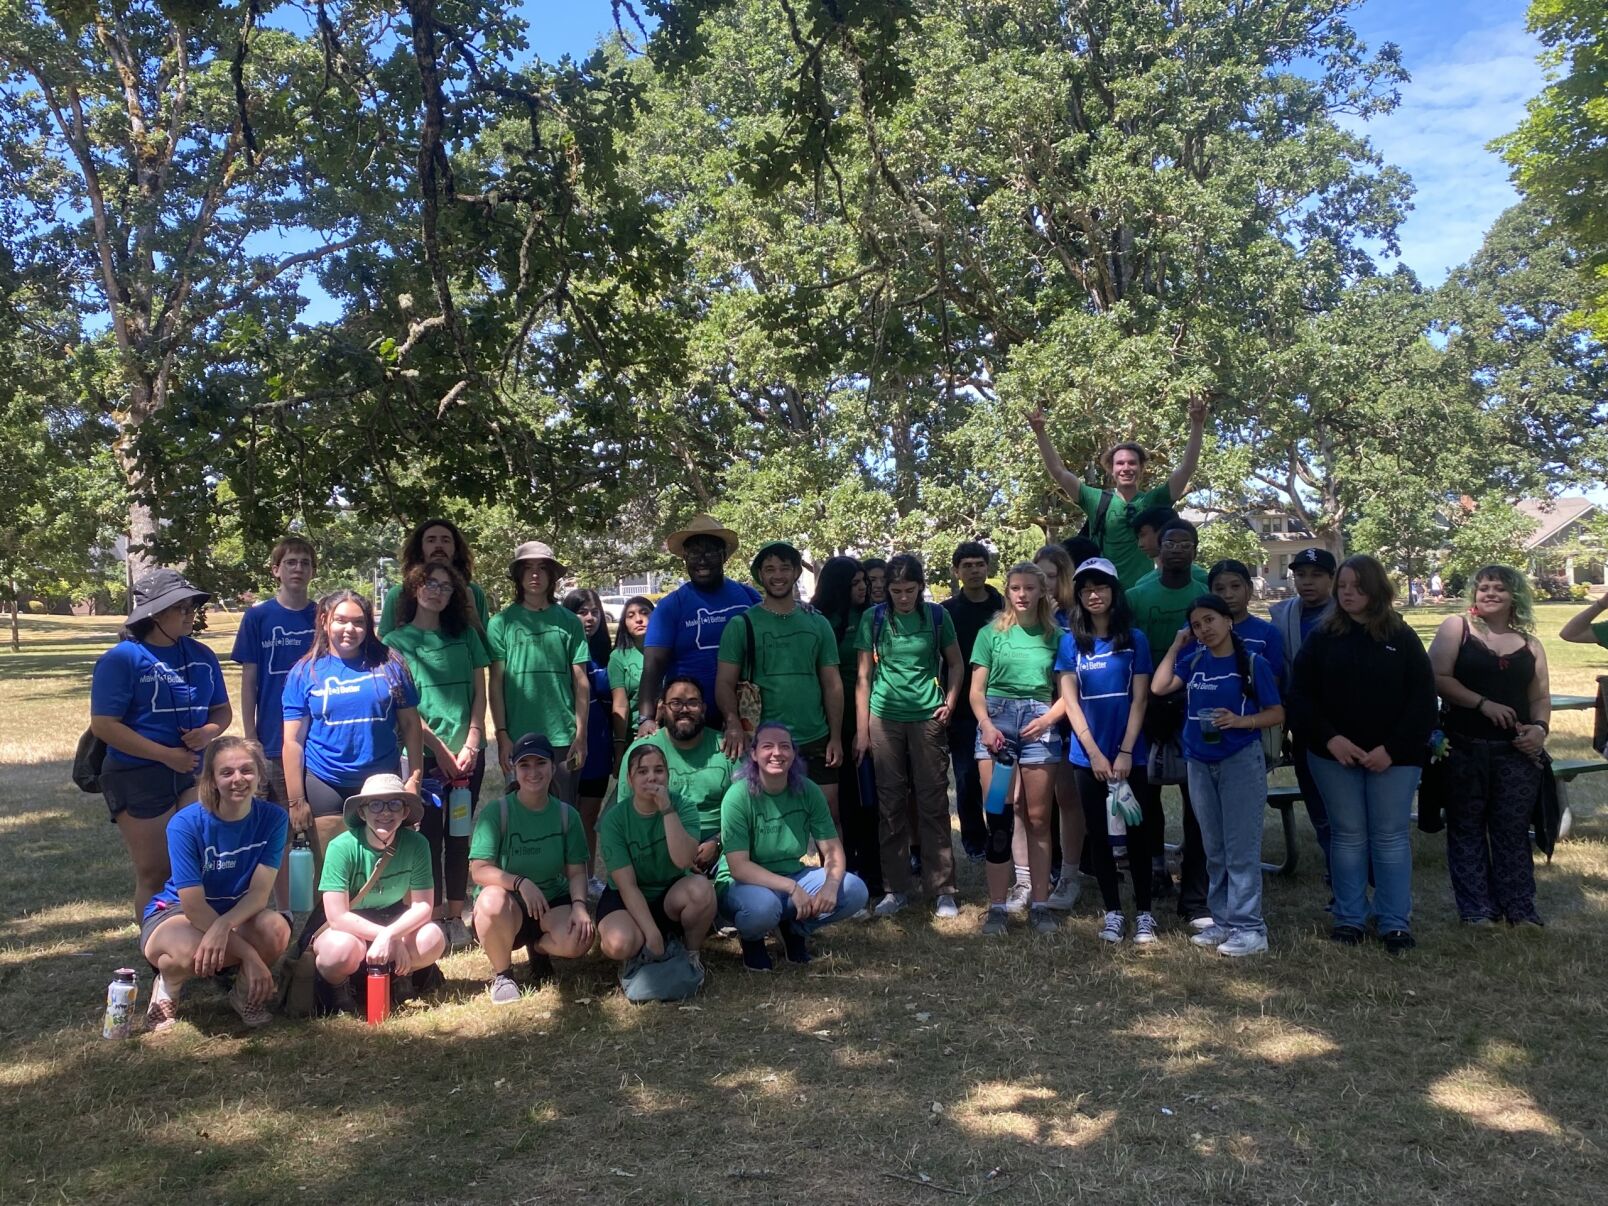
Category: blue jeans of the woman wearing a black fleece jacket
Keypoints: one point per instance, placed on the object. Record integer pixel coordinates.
(1371, 816)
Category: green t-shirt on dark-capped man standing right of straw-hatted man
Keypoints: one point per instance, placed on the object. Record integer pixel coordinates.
(789, 655)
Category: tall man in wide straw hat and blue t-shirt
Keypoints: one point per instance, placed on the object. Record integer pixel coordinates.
(684, 633)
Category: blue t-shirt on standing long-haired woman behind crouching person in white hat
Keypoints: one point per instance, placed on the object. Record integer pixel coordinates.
(351, 716)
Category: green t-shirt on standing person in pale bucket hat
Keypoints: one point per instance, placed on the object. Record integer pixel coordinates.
(538, 650)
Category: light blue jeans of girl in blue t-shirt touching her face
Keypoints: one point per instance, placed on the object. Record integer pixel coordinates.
(1231, 798)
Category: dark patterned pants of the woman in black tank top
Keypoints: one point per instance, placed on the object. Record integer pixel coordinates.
(1491, 797)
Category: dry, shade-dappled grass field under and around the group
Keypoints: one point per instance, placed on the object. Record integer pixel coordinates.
(911, 1064)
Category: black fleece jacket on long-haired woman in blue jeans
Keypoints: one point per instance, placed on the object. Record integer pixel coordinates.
(1371, 692)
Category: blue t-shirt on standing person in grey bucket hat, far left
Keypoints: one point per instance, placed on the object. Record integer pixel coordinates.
(158, 691)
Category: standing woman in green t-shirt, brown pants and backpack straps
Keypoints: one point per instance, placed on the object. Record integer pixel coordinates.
(908, 684)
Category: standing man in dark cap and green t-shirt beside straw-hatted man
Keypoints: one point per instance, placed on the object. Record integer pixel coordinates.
(792, 657)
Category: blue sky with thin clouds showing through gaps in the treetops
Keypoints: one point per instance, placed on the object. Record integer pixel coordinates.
(1472, 64)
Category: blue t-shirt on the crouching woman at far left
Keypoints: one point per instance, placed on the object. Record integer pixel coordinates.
(221, 856)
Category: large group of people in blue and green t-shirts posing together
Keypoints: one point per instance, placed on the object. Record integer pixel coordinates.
(782, 766)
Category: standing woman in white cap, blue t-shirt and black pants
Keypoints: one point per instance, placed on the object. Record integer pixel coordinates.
(1105, 668)
